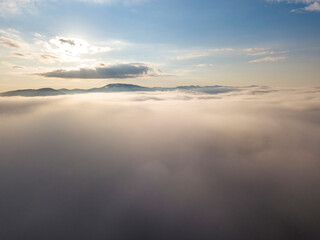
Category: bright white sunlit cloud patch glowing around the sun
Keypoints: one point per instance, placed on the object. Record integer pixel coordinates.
(55, 50)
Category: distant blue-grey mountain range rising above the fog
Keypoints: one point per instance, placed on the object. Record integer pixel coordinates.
(118, 87)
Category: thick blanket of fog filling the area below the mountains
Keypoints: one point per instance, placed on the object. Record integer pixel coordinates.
(161, 165)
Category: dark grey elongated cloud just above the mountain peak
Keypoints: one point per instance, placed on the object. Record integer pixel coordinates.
(132, 70)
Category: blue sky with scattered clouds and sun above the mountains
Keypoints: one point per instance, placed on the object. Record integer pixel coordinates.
(84, 44)
